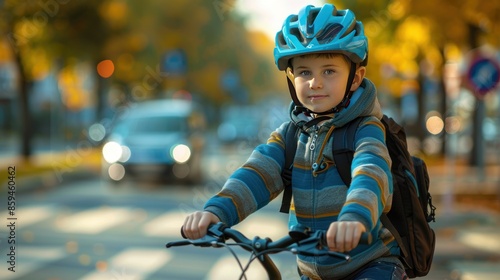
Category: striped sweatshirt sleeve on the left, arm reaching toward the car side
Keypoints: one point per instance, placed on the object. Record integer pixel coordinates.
(253, 185)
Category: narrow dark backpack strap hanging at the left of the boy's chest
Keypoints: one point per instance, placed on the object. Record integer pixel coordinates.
(291, 138)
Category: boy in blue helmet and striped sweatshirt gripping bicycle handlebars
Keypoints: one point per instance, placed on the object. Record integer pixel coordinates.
(324, 53)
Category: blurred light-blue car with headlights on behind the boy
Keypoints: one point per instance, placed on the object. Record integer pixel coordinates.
(155, 140)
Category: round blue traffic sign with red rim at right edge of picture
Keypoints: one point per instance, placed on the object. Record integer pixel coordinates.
(483, 75)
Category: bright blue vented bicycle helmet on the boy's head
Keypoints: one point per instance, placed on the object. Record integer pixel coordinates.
(320, 30)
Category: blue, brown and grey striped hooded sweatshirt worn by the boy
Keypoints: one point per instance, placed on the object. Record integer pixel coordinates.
(321, 197)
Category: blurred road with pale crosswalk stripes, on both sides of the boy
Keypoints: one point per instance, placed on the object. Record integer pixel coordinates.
(91, 230)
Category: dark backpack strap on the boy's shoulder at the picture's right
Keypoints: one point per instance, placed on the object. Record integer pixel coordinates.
(343, 148)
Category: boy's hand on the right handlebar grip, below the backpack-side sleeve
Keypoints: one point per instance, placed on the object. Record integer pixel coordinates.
(344, 236)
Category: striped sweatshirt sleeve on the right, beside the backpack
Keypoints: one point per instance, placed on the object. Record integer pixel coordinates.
(370, 192)
